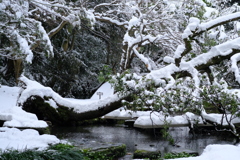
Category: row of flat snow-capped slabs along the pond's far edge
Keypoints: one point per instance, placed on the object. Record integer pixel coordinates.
(149, 119)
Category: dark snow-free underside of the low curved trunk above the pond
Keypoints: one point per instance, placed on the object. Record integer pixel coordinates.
(63, 115)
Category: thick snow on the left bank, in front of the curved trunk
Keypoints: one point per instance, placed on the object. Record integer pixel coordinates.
(13, 138)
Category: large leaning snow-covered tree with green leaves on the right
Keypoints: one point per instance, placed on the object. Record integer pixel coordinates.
(204, 67)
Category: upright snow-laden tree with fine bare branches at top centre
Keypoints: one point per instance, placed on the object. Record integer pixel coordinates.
(143, 26)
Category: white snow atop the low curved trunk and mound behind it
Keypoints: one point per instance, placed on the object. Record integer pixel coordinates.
(78, 105)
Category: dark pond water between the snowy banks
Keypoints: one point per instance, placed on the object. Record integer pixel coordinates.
(140, 139)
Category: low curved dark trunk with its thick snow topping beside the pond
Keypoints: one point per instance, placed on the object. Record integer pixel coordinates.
(48, 105)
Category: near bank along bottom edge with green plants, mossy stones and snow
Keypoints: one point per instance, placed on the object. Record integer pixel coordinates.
(69, 152)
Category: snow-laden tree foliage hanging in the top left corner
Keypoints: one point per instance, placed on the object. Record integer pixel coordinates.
(26, 28)
